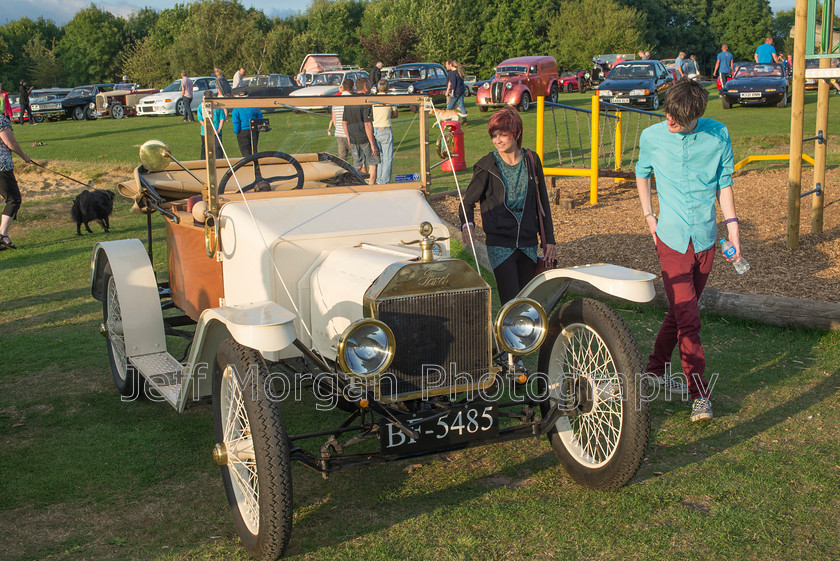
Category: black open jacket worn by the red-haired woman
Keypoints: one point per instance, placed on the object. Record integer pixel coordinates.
(499, 223)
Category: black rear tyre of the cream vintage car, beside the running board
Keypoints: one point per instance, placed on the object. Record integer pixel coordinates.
(128, 381)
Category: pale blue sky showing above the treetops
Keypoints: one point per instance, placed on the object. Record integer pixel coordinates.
(61, 11)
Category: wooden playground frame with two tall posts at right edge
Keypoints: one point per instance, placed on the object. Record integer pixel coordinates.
(804, 47)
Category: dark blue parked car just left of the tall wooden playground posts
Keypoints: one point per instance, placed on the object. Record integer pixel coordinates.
(756, 84)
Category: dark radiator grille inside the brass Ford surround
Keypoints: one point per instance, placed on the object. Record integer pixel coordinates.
(445, 332)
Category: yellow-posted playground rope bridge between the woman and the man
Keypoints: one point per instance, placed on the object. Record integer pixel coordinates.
(612, 146)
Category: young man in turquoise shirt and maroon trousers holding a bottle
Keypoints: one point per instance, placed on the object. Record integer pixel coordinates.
(692, 160)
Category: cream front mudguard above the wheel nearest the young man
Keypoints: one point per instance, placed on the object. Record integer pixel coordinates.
(621, 282)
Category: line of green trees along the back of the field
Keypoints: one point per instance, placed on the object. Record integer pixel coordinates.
(152, 47)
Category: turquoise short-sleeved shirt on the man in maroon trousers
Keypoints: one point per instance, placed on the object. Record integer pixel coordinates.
(690, 168)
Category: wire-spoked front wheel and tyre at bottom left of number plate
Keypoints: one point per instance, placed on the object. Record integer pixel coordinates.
(239, 382)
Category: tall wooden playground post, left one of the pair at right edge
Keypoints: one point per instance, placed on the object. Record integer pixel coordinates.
(797, 114)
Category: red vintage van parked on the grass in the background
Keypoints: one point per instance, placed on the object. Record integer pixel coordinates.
(519, 81)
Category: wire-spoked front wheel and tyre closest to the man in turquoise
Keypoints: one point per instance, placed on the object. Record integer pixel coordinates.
(586, 445)
